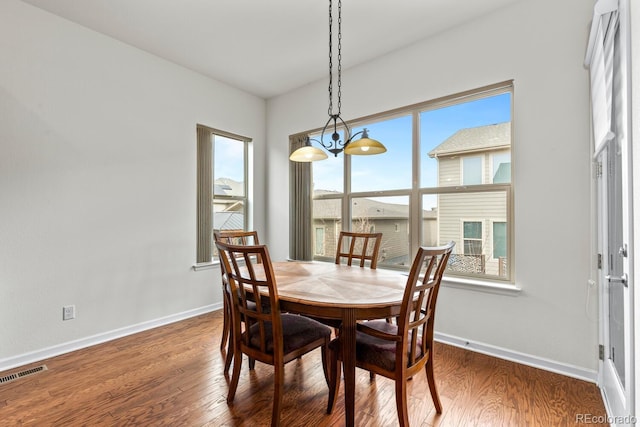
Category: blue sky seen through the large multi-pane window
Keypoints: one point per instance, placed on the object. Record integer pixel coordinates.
(392, 170)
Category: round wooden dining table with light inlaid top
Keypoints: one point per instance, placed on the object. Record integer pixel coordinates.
(349, 294)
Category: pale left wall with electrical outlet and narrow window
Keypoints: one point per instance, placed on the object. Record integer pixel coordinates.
(98, 183)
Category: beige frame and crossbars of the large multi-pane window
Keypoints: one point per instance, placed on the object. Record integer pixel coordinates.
(416, 193)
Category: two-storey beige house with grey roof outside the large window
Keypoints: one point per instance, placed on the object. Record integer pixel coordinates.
(477, 221)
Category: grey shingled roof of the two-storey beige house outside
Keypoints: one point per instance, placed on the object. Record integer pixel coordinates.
(479, 138)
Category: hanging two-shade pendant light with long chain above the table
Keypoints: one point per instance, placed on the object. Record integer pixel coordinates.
(362, 146)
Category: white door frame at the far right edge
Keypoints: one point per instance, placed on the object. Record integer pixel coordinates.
(622, 413)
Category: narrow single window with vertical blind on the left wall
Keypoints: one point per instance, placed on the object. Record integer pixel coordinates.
(223, 160)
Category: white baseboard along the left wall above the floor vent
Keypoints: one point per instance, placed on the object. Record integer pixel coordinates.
(46, 353)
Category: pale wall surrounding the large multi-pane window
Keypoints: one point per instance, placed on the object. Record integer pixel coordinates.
(540, 44)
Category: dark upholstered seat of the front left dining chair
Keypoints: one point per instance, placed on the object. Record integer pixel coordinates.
(297, 332)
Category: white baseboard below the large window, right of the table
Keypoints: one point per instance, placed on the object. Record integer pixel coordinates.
(525, 359)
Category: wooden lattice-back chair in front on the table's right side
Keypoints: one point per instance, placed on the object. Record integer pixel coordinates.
(399, 351)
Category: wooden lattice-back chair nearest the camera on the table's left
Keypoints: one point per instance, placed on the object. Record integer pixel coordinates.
(269, 336)
